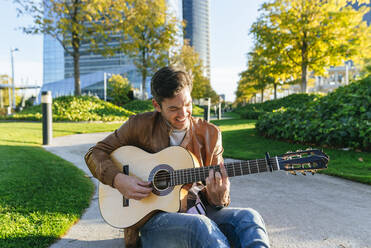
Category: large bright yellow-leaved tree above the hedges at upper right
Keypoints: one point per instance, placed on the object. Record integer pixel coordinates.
(313, 35)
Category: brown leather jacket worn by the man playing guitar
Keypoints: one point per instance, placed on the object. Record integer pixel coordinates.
(150, 132)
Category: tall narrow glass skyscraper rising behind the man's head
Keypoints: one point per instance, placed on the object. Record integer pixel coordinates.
(197, 18)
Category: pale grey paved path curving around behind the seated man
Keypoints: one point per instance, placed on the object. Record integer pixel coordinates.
(300, 211)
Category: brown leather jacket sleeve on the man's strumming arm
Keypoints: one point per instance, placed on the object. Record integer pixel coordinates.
(98, 157)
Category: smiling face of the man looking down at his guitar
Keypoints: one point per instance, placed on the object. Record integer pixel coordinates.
(176, 110)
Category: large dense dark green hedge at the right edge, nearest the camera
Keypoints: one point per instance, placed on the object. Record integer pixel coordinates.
(340, 119)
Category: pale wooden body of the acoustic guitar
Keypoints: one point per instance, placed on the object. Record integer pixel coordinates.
(145, 166)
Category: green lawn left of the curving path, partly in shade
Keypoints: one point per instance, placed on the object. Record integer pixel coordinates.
(41, 195)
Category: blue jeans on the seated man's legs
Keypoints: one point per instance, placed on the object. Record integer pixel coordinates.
(236, 227)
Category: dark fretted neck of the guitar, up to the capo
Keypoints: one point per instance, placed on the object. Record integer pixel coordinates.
(240, 168)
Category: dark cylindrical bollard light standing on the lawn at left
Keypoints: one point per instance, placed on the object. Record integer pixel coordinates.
(46, 102)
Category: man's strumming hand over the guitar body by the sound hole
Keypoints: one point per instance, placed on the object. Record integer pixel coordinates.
(132, 187)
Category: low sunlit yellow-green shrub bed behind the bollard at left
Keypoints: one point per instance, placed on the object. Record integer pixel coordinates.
(71, 108)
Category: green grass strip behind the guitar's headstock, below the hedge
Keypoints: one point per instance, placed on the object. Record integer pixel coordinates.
(241, 141)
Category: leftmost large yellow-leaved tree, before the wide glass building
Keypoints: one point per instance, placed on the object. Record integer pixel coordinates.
(71, 23)
